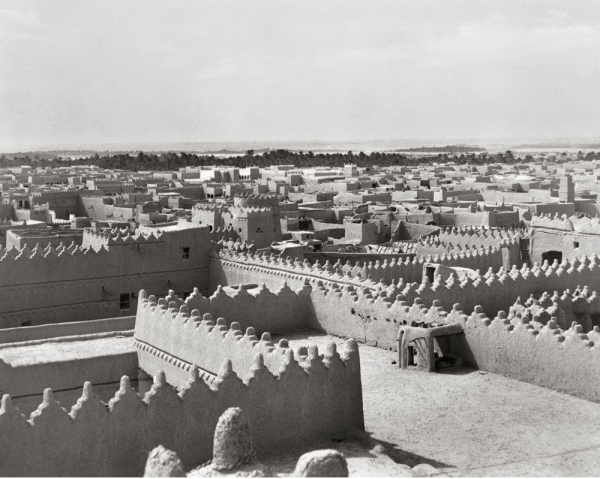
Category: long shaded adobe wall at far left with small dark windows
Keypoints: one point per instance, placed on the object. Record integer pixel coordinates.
(72, 284)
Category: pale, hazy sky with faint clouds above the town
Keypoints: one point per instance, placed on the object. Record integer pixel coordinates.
(82, 72)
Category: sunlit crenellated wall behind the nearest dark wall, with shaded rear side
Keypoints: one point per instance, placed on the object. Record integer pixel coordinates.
(186, 329)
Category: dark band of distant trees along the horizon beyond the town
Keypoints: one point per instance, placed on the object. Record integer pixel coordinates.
(174, 161)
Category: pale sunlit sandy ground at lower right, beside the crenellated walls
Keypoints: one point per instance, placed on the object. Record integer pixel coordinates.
(464, 422)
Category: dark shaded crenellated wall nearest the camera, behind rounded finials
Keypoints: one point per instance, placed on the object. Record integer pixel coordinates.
(320, 396)
